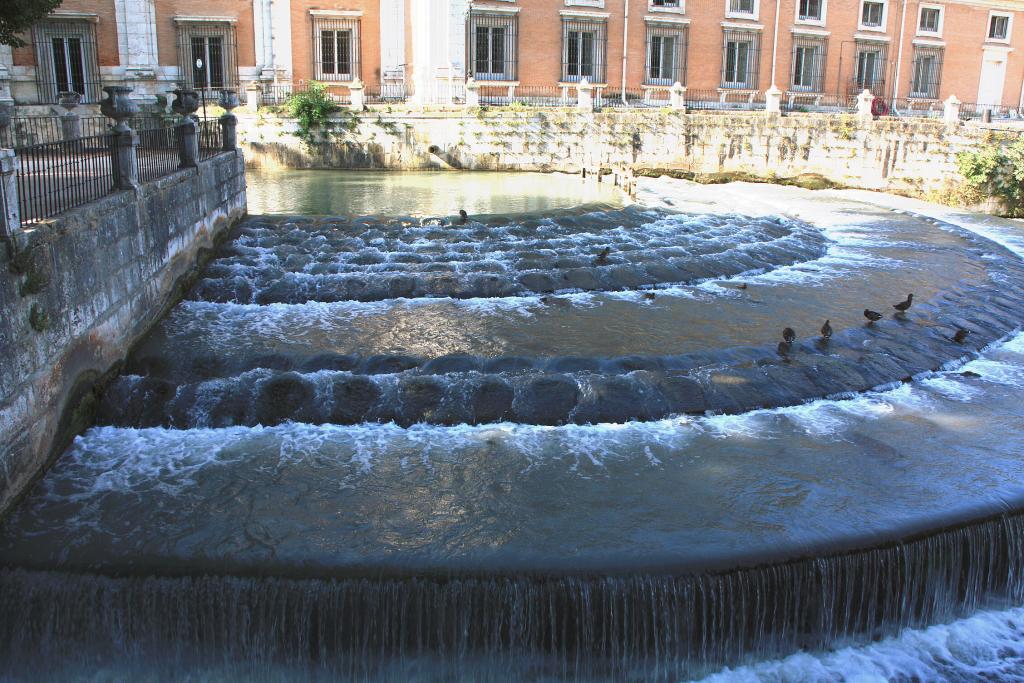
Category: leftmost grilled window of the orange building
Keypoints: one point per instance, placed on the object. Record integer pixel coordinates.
(66, 61)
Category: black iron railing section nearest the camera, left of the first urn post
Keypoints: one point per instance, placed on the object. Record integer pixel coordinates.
(58, 177)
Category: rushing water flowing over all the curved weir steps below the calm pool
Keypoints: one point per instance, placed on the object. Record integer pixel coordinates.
(402, 449)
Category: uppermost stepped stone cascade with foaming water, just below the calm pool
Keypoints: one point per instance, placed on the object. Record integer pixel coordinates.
(327, 262)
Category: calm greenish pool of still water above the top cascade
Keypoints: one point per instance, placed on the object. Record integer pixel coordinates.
(419, 194)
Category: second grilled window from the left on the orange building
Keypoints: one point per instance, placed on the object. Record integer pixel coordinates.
(208, 56)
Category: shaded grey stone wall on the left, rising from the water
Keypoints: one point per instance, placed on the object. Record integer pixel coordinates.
(78, 291)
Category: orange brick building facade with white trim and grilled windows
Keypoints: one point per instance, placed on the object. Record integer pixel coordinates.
(813, 51)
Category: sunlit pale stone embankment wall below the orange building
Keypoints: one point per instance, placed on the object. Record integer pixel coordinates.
(914, 157)
